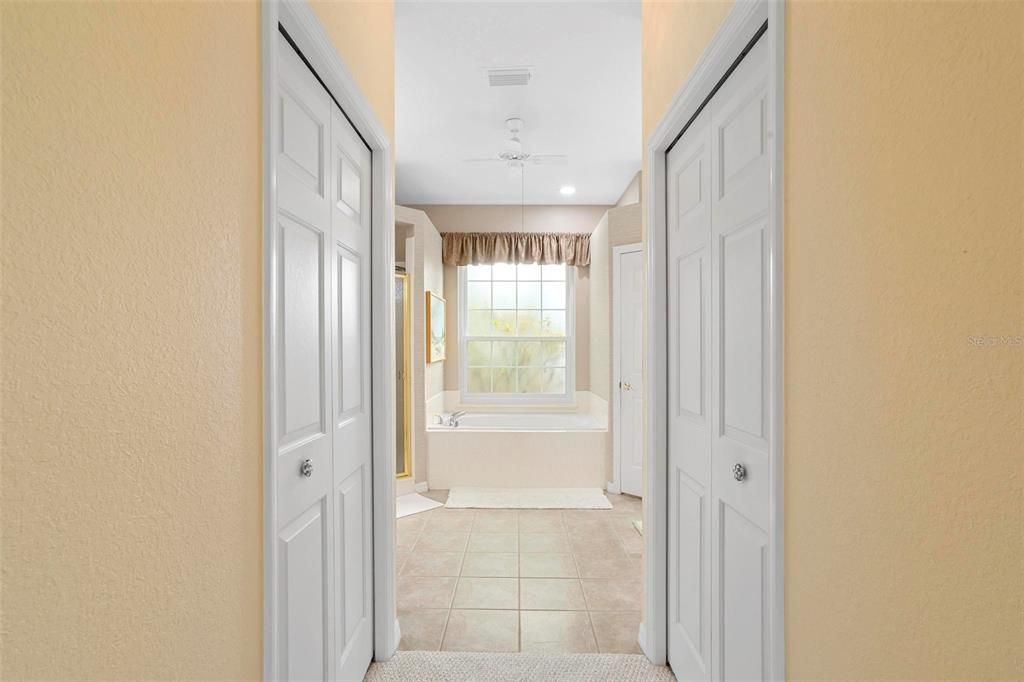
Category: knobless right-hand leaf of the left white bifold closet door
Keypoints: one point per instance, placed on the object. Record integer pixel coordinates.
(350, 196)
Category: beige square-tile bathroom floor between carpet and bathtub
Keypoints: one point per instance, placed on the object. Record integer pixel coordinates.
(546, 581)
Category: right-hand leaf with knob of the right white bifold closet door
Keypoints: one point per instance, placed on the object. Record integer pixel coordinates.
(741, 479)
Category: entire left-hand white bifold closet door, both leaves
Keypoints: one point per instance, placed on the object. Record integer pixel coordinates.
(323, 412)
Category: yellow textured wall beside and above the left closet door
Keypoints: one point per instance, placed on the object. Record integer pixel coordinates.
(132, 332)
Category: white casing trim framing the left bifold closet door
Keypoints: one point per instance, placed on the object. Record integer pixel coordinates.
(309, 34)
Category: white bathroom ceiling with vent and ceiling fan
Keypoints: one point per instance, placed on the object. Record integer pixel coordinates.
(584, 100)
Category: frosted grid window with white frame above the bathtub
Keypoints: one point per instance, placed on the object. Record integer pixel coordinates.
(516, 332)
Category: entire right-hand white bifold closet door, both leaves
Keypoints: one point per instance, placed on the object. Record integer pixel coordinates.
(718, 212)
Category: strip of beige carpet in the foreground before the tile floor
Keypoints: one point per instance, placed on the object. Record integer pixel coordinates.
(452, 667)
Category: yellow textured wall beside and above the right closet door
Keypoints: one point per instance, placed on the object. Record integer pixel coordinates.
(904, 239)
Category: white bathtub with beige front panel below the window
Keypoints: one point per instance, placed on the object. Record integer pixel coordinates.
(520, 450)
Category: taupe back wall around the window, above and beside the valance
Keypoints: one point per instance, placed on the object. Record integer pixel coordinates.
(479, 219)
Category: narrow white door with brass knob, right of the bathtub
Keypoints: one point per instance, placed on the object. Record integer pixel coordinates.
(627, 292)
